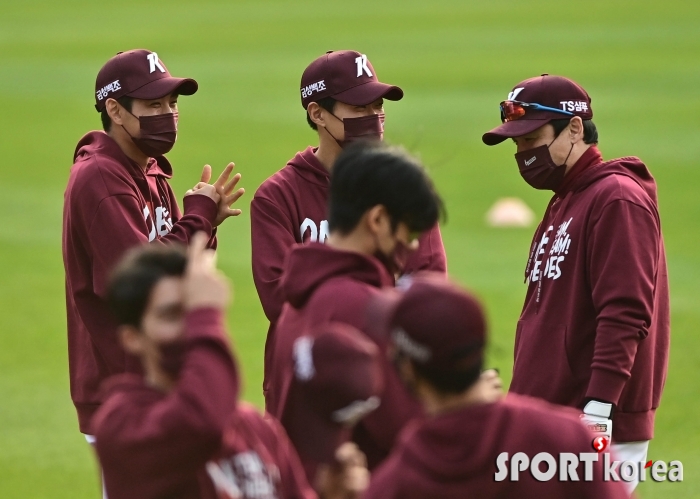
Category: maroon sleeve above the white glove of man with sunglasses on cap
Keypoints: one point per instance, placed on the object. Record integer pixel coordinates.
(623, 252)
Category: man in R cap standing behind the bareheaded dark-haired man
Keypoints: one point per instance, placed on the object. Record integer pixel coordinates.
(344, 101)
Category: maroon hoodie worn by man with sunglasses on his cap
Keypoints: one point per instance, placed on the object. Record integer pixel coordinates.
(595, 323)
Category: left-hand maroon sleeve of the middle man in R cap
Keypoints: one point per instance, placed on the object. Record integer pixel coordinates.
(272, 234)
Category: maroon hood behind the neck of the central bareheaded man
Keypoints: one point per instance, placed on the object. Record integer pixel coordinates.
(313, 264)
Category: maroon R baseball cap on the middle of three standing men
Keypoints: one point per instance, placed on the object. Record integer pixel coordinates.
(347, 76)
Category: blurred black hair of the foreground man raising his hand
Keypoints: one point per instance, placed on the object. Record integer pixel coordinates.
(134, 277)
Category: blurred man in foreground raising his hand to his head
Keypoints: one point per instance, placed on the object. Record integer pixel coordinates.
(177, 430)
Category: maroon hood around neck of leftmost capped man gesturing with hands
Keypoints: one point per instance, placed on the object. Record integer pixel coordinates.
(98, 143)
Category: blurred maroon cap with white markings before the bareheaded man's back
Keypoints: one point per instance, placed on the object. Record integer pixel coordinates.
(337, 381)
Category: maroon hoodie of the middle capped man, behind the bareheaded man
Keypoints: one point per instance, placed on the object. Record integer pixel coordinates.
(291, 207)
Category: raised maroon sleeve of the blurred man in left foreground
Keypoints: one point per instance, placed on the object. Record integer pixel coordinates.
(182, 430)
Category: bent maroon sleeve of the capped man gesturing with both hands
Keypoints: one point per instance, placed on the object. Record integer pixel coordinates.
(120, 224)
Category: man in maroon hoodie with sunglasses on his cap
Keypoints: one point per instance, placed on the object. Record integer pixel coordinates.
(597, 302)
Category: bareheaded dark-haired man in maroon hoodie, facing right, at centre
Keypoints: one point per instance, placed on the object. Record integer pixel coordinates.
(380, 202)
